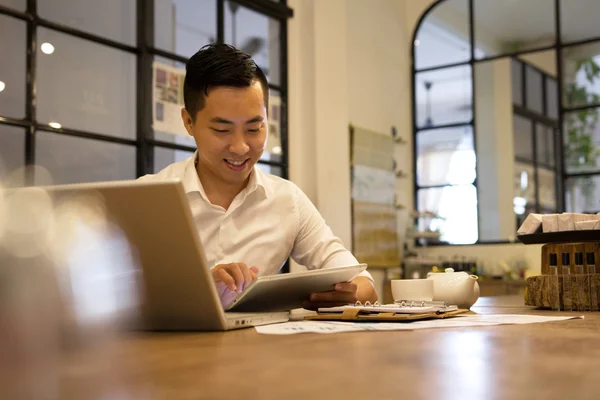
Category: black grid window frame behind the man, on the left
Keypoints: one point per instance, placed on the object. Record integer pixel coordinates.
(144, 51)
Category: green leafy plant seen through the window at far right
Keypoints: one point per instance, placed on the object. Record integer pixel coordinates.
(579, 148)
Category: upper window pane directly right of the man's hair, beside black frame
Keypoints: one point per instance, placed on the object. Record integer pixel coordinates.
(257, 35)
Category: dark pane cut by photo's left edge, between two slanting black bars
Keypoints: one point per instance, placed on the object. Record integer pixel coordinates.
(13, 48)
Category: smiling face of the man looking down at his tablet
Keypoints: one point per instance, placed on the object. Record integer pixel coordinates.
(230, 132)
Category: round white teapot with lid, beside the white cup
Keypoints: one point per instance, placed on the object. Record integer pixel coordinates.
(459, 288)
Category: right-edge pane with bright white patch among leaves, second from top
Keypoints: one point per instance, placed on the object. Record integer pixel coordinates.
(581, 75)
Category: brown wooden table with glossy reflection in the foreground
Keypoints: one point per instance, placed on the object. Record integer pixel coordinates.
(539, 361)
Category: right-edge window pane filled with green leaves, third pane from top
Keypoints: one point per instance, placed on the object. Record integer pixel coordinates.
(582, 140)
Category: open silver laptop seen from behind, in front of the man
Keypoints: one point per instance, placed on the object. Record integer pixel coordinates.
(178, 289)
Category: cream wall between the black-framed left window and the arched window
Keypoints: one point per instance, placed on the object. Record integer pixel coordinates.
(349, 62)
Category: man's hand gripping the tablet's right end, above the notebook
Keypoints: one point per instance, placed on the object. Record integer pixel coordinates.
(359, 289)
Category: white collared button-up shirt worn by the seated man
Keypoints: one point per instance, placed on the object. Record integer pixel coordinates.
(267, 222)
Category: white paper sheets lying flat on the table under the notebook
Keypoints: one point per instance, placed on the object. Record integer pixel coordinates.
(460, 321)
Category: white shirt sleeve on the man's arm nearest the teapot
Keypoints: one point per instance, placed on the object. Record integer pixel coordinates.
(315, 245)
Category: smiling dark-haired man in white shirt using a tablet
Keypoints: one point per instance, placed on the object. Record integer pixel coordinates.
(249, 222)
